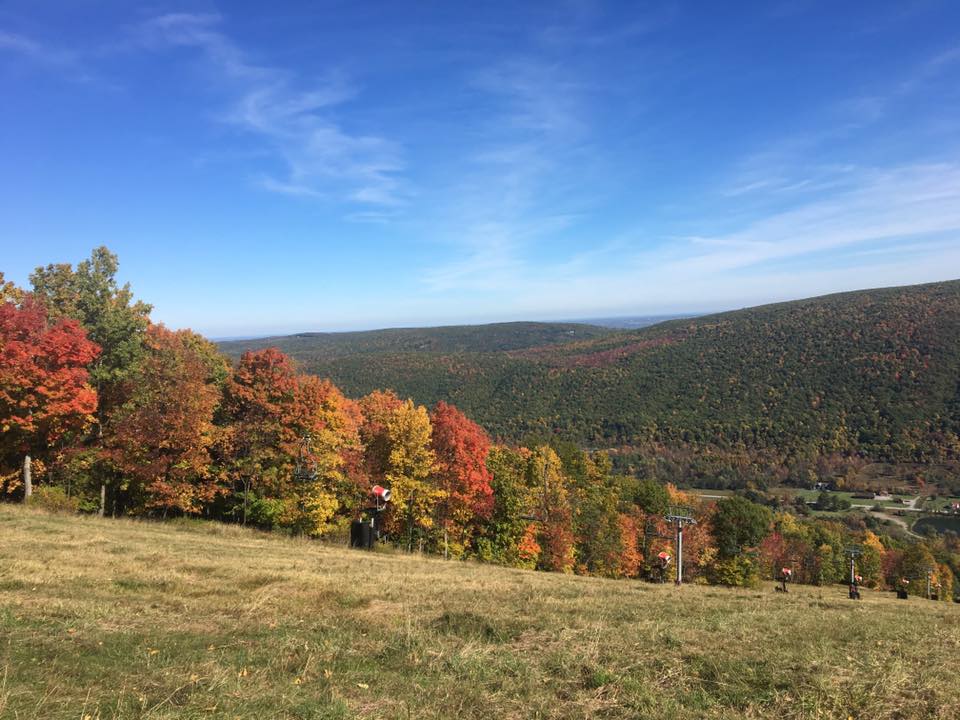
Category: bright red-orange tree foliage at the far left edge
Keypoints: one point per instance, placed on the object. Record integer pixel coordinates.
(44, 389)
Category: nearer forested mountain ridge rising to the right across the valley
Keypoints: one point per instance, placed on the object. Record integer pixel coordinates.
(872, 373)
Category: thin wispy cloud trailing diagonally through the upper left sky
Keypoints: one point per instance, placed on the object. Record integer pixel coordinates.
(323, 159)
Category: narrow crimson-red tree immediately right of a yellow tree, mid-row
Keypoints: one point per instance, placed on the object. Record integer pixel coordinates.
(461, 447)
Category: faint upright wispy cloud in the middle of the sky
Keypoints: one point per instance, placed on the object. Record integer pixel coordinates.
(514, 191)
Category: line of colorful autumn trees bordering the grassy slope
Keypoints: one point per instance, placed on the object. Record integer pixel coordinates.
(105, 411)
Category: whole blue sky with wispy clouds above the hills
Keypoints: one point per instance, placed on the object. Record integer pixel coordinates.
(273, 167)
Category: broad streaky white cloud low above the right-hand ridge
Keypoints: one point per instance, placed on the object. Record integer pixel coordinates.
(884, 227)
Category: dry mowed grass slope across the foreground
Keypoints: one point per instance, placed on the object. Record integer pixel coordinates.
(124, 619)
